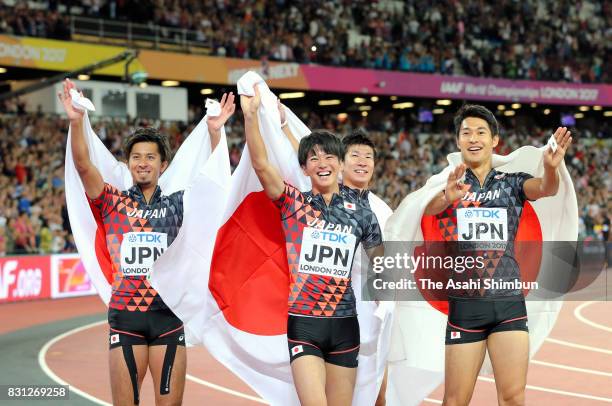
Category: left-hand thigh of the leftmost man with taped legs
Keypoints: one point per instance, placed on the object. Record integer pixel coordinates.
(120, 377)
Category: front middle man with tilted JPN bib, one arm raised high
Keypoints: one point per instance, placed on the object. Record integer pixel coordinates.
(323, 228)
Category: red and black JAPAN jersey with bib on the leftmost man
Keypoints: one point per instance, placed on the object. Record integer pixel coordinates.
(137, 233)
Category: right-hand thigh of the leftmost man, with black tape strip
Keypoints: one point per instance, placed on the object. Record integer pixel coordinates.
(168, 365)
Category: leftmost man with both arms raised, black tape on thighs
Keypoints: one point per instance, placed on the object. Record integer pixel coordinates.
(139, 224)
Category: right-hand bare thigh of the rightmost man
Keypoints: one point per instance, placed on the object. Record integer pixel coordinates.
(509, 353)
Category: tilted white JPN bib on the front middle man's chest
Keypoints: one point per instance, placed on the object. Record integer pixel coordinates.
(327, 253)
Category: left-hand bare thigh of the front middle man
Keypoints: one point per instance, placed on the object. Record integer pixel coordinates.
(309, 379)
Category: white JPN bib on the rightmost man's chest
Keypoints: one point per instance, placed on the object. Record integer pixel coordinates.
(483, 228)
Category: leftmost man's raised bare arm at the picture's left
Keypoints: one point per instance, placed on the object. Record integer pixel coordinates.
(89, 174)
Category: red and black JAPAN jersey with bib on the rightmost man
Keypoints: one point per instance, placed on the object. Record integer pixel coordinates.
(484, 223)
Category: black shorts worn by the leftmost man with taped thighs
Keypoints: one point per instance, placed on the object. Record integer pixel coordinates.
(153, 327)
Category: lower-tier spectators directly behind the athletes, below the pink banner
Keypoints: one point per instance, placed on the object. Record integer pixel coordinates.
(33, 216)
